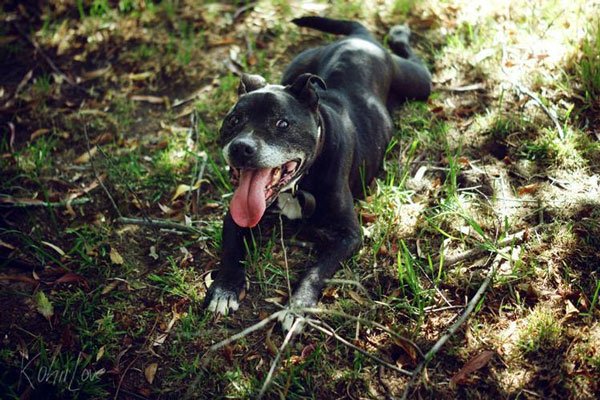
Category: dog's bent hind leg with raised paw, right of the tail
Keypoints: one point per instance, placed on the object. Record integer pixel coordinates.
(411, 79)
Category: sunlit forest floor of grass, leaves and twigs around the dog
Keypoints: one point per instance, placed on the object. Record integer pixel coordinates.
(110, 110)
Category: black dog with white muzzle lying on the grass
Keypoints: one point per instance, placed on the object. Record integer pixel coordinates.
(320, 134)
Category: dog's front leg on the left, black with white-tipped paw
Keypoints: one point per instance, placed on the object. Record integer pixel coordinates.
(224, 293)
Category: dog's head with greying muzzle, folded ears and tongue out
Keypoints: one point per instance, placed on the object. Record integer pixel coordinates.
(269, 139)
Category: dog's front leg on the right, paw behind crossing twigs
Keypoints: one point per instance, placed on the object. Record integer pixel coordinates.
(341, 239)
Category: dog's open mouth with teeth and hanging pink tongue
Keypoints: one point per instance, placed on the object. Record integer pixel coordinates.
(256, 189)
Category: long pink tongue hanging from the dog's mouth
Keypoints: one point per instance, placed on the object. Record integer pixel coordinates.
(249, 203)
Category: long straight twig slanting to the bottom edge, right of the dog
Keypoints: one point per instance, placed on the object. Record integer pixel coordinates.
(463, 317)
